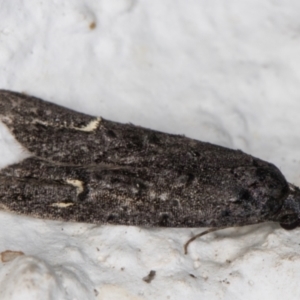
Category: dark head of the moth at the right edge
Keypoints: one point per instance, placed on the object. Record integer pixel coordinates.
(289, 215)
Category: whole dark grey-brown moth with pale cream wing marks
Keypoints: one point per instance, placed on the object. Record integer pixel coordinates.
(88, 169)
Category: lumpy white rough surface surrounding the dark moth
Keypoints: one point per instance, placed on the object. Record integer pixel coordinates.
(227, 72)
